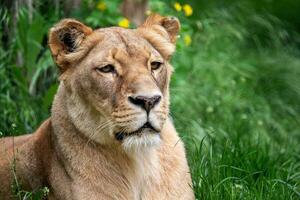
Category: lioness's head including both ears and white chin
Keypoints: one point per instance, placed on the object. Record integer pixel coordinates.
(116, 80)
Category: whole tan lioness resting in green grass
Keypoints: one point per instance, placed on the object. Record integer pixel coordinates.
(109, 135)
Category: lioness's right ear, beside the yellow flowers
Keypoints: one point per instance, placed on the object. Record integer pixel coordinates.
(161, 32)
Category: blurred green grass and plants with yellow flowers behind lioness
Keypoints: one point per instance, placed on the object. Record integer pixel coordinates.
(235, 91)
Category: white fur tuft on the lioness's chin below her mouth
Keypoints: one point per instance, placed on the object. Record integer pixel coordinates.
(134, 143)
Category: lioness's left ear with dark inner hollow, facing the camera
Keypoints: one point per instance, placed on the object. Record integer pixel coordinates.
(65, 38)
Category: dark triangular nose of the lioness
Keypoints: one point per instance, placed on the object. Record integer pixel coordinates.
(145, 102)
